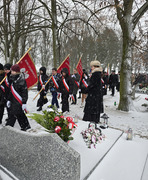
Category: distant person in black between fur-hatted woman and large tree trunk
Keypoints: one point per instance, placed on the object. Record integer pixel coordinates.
(113, 81)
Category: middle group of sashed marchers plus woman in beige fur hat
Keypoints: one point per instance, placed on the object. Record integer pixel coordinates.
(67, 86)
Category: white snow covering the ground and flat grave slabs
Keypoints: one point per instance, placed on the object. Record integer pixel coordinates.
(114, 158)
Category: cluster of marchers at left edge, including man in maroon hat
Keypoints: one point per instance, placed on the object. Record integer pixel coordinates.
(13, 96)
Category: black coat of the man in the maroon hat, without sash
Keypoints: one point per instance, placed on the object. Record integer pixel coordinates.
(19, 83)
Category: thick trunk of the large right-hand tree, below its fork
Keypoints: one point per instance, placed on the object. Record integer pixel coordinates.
(125, 103)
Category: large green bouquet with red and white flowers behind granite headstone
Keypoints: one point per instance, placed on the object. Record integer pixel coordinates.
(55, 122)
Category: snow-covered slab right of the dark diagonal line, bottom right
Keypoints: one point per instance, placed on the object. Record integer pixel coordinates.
(125, 161)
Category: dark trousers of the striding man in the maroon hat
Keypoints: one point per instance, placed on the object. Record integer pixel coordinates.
(22, 120)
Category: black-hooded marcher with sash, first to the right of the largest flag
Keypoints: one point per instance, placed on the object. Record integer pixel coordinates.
(42, 79)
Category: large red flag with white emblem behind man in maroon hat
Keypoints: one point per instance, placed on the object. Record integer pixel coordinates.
(28, 68)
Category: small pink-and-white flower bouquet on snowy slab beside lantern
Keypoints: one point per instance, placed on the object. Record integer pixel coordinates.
(92, 135)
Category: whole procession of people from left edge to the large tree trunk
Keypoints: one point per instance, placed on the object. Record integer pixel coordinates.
(92, 87)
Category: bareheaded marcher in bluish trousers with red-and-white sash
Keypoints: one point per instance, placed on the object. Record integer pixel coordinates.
(54, 88)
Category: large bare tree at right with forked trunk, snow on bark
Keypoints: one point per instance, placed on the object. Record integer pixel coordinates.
(128, 24)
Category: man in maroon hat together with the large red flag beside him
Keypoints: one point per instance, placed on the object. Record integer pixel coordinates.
(23, 76)
